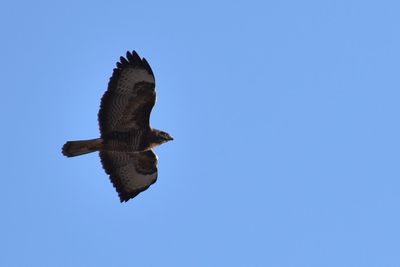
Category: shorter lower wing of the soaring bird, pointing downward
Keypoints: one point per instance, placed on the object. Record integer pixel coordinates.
(130, 173)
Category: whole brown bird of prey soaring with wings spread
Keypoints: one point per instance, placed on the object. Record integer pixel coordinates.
(126, 139)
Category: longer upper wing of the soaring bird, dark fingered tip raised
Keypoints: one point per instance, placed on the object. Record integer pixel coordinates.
(130, 96)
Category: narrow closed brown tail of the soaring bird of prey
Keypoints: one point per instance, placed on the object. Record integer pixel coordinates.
(76, 148)
